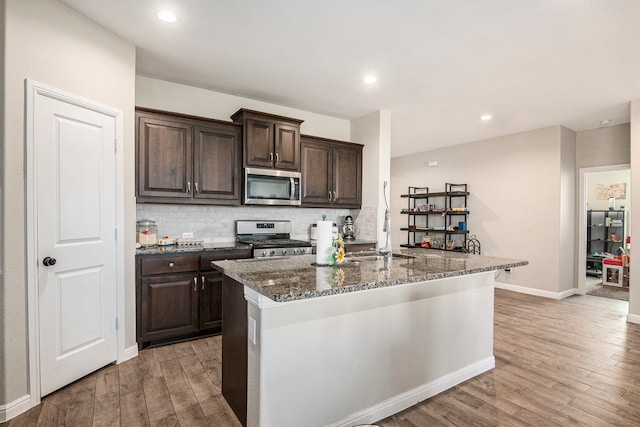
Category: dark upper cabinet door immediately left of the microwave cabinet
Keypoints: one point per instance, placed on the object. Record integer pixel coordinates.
(216, 162)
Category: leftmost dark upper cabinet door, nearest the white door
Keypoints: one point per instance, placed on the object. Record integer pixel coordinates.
(164, 156)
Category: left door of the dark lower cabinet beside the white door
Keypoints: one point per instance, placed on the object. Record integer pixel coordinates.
(169, 306)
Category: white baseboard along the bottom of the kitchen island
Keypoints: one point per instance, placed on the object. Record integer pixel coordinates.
(405, 400)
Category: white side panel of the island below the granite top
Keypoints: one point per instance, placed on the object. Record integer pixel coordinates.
(356, 358)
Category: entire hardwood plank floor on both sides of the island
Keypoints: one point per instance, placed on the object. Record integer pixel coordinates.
(558, 363)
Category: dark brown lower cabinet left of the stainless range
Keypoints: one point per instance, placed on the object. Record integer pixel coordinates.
(179, 295)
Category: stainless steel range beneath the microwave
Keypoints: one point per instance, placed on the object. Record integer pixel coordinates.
(270, 238)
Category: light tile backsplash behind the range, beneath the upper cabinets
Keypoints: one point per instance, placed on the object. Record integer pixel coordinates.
(217, 223)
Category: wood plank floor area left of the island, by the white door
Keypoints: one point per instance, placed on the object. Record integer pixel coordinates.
(174, 385)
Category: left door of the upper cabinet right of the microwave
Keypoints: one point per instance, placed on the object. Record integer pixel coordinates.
(316, 173)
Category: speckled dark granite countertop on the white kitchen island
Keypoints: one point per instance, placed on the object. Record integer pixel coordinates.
(294, 278)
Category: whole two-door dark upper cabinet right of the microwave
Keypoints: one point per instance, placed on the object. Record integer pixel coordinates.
(331, 173)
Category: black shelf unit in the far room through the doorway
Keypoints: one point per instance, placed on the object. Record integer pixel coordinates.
(605, 234)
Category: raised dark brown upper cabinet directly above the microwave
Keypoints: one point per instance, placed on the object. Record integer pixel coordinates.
(269, 141)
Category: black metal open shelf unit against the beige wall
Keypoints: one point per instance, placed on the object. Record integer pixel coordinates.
(441, 216)
